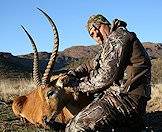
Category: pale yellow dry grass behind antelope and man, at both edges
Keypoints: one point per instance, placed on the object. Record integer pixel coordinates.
(9, 89)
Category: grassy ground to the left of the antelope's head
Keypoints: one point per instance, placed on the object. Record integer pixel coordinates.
(8, 90)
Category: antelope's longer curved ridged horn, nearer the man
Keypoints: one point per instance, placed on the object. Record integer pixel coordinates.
(46, 75)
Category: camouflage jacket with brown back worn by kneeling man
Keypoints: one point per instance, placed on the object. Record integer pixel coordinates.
(121, 51)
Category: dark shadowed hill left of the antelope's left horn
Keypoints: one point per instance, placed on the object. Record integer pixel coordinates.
(13, 66)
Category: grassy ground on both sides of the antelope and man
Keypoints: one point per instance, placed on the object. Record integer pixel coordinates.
(9, 122)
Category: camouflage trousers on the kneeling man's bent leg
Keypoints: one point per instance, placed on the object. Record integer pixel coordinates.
(107, 112)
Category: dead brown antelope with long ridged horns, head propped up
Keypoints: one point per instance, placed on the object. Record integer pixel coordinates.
(48, 101)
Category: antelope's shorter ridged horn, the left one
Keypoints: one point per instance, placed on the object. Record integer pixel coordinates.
(36, 75)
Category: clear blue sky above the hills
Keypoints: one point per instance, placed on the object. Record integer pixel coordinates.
(142, 16)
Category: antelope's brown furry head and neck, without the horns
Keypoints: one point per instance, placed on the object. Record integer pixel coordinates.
(35, 106)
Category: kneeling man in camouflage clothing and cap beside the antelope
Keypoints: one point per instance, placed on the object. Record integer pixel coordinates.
(121, 73)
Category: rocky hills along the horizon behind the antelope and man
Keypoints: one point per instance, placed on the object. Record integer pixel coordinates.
(21, 66)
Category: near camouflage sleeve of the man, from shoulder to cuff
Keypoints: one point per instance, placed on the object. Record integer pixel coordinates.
(112, 62)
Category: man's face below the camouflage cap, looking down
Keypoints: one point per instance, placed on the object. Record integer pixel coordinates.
(99, 33)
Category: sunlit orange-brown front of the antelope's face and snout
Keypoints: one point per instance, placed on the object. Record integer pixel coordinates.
(33, 106)
